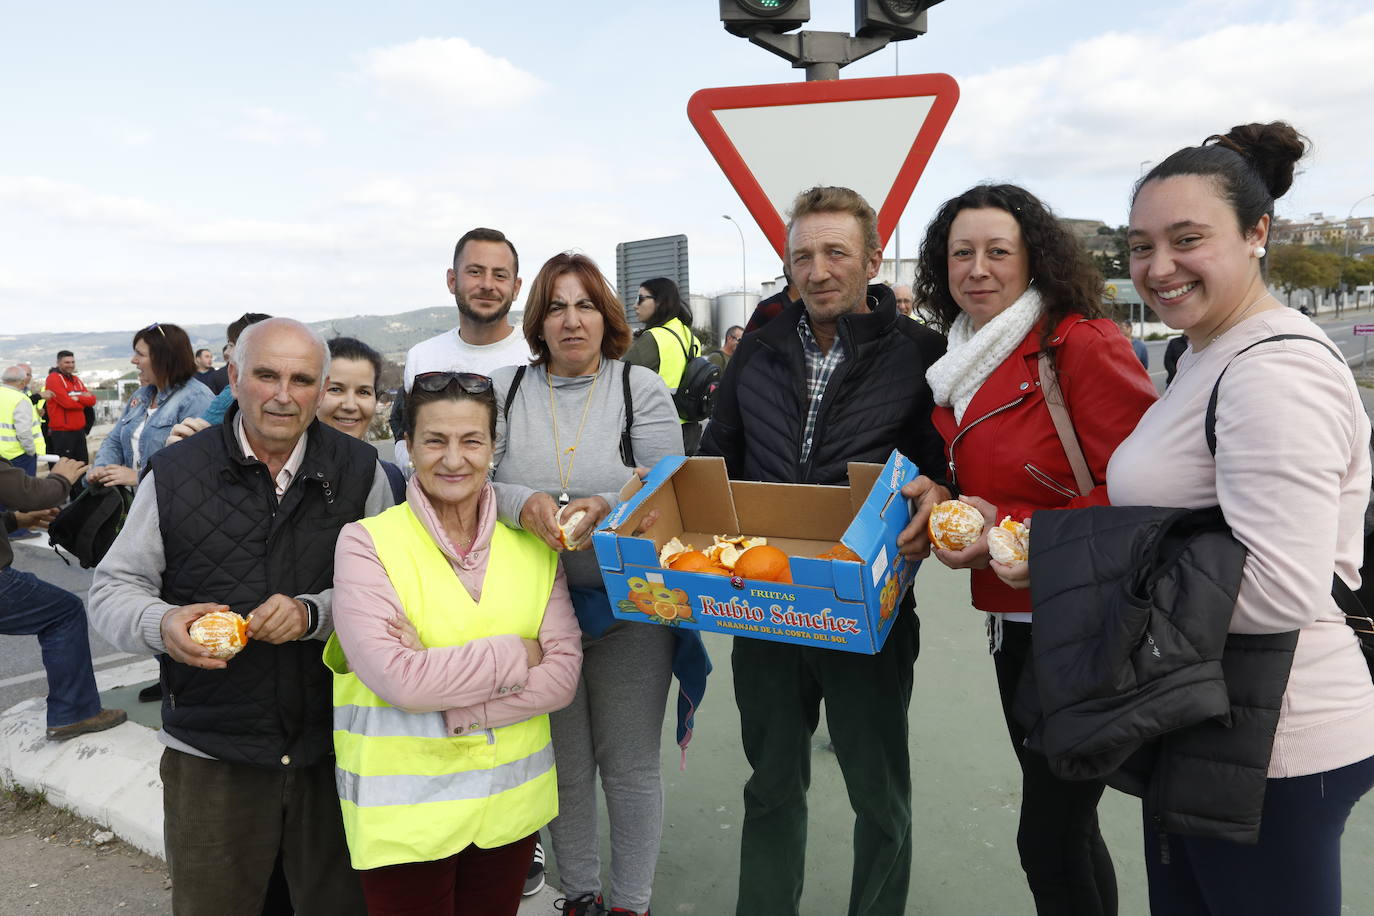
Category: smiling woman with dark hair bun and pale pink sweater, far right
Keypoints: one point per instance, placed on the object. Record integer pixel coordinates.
(1291, 472)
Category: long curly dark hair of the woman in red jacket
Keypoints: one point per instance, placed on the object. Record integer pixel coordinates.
(1063, 273)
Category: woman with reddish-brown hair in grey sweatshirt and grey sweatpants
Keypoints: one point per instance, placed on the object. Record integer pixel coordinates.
(561, 424)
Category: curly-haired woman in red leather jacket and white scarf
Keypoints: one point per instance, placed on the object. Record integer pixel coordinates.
(1009, 285)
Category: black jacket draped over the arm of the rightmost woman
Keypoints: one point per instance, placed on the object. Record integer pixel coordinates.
(1134, 675)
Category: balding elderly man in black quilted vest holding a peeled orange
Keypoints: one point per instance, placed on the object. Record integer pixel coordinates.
(245, 516)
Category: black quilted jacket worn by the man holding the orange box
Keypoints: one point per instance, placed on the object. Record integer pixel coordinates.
(877, 400)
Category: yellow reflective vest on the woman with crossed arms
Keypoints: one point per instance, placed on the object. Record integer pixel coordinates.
(409, 790)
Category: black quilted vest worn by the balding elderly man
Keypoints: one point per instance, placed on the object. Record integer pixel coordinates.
(227, 540)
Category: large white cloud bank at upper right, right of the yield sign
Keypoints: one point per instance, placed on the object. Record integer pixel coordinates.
(1123, 98)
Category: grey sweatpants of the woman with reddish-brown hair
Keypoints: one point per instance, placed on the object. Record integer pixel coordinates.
(613, 727)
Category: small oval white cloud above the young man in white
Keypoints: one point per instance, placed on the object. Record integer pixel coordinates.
(449, 76)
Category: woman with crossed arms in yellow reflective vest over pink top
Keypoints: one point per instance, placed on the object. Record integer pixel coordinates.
(454, 641)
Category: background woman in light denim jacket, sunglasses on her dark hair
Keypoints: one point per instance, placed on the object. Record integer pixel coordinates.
(168, 393)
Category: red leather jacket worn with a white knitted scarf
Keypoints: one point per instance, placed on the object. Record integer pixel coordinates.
(1008, 453)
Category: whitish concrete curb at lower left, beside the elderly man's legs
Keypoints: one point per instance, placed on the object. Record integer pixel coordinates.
(111, 778)
